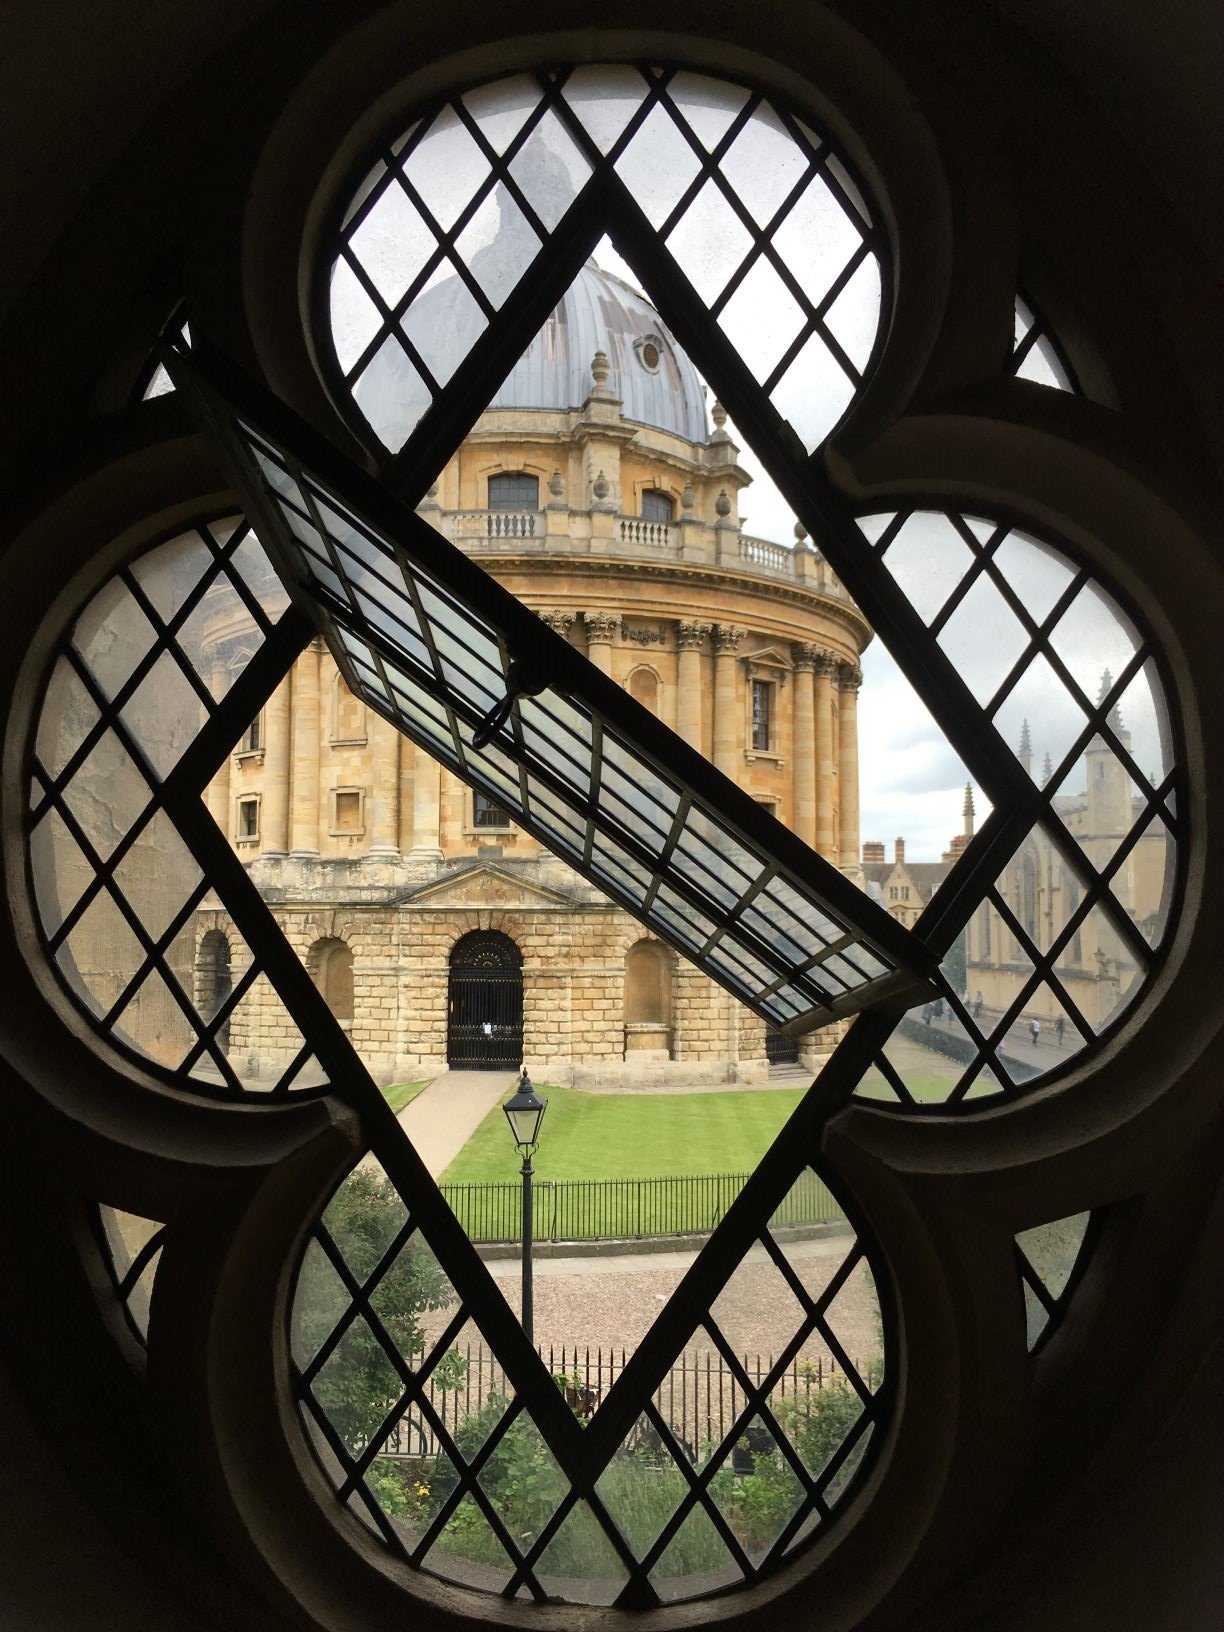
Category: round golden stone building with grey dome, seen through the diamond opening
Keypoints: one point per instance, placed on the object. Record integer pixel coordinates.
(601, 492)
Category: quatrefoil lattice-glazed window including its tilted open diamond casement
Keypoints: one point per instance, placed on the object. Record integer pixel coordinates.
(712, 193)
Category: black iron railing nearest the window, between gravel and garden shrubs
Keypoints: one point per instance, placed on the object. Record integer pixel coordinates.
(699, 1399)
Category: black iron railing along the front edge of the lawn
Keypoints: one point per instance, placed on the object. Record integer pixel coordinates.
(624, 1208)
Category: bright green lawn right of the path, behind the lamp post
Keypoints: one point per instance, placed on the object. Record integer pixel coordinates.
(632, 1135)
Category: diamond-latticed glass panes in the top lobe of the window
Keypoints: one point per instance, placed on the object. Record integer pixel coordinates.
(776, 241)
